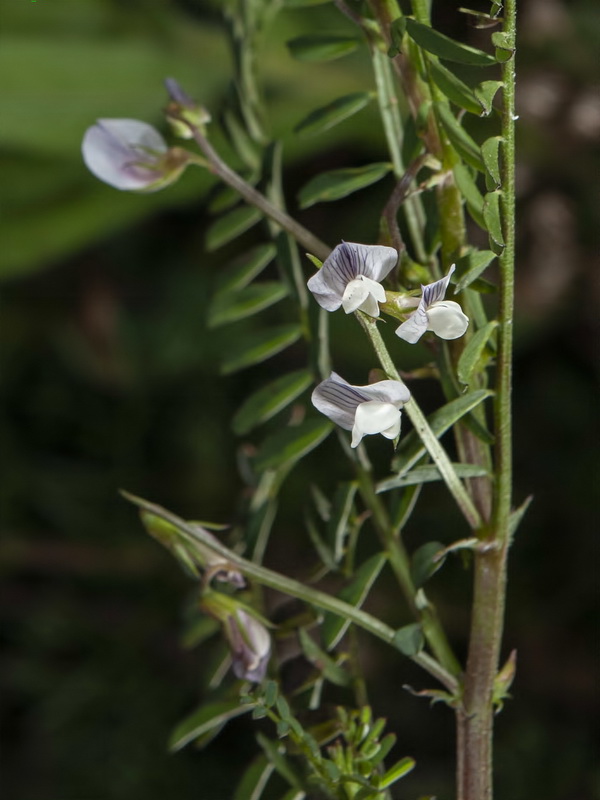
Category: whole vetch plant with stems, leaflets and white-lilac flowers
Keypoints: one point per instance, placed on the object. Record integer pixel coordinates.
(422, 103)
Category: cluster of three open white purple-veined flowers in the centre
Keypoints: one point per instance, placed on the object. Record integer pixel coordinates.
(351, 278)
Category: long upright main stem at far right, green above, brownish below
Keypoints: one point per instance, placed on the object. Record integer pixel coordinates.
(475, 719)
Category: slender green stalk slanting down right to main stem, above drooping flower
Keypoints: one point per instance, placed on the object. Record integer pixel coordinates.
(274, 580)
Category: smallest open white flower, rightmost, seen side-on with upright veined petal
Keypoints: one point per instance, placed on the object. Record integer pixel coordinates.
(444, 317)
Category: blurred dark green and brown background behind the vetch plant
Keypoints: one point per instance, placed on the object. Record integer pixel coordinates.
(110, 379)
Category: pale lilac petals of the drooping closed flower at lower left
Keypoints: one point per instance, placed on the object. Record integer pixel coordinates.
(250, 644)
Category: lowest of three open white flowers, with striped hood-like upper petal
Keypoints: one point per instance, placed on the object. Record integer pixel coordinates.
(362, 409)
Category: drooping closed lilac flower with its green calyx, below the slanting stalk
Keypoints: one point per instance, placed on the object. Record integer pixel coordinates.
(247, 636)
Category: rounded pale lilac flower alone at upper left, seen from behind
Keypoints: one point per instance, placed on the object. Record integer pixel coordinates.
(131, 155)
